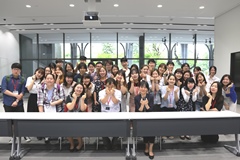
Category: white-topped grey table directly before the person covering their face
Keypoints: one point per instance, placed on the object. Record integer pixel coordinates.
(69, 124)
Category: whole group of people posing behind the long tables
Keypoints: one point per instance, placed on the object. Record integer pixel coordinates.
(104, 87)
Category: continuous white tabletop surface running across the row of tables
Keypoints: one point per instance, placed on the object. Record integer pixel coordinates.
(117, 116)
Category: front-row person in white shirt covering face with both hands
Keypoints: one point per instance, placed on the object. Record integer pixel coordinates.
(110, 99)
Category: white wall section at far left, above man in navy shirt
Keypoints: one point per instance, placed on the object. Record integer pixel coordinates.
(9, 51)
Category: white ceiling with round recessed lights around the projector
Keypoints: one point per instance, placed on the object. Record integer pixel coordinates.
(132, 16)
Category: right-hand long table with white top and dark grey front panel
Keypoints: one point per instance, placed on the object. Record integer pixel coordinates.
(187, 123)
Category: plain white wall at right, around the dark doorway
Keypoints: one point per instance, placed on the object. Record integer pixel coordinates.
(227, 40)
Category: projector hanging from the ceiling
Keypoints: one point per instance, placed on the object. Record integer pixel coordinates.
(91, 19)
